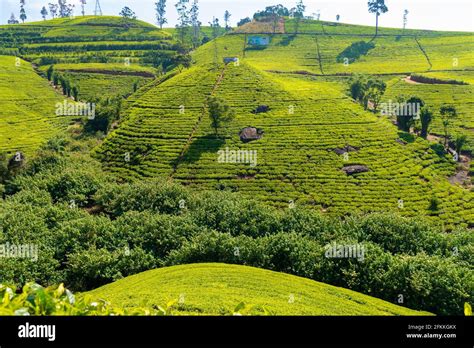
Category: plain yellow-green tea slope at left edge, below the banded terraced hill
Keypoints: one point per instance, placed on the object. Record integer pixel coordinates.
(28, 113)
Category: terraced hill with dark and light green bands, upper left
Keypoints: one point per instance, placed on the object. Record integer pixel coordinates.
(101, 56)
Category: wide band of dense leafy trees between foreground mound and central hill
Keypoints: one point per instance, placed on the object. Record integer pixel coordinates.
(91, 231)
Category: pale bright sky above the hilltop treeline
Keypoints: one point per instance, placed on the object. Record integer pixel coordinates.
(424, 14)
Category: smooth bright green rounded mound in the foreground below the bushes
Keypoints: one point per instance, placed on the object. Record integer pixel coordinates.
(213, 289)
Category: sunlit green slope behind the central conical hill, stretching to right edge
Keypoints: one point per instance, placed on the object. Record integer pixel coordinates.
(317, 51)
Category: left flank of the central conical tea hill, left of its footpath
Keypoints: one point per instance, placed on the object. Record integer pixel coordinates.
(159, 125)
